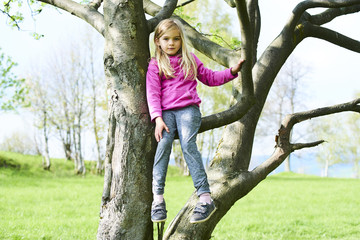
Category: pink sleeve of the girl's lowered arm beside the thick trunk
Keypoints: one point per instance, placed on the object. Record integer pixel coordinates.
(153, 90)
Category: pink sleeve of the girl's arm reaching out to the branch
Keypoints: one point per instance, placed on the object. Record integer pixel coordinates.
(212, 78)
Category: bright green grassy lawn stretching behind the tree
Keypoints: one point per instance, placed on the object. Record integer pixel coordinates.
(36, 204)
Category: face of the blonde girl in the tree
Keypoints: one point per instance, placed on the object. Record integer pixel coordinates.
(170, 42)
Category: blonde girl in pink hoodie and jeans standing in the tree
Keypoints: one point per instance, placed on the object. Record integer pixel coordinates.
(174, 106)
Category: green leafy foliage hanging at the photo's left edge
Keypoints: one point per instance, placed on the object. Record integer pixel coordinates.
(12, 88)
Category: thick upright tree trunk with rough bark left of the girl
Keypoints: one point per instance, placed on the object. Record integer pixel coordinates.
(127, 197)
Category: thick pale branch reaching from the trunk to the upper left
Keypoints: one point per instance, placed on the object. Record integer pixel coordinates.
(85, 12)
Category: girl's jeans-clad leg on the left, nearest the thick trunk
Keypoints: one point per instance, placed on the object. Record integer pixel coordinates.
(162, 154)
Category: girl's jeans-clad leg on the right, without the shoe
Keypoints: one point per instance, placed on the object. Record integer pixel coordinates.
(188, 121)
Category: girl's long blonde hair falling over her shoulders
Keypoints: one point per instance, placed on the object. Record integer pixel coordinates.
(188, 64)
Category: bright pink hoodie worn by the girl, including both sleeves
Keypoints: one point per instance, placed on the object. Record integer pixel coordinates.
(164, 94)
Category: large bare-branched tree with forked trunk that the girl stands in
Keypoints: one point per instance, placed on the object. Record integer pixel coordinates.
(126, 200)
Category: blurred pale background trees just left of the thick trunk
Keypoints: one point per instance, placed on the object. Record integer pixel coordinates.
(70, 92)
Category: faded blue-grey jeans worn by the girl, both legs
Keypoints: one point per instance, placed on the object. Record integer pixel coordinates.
(186, 121)
